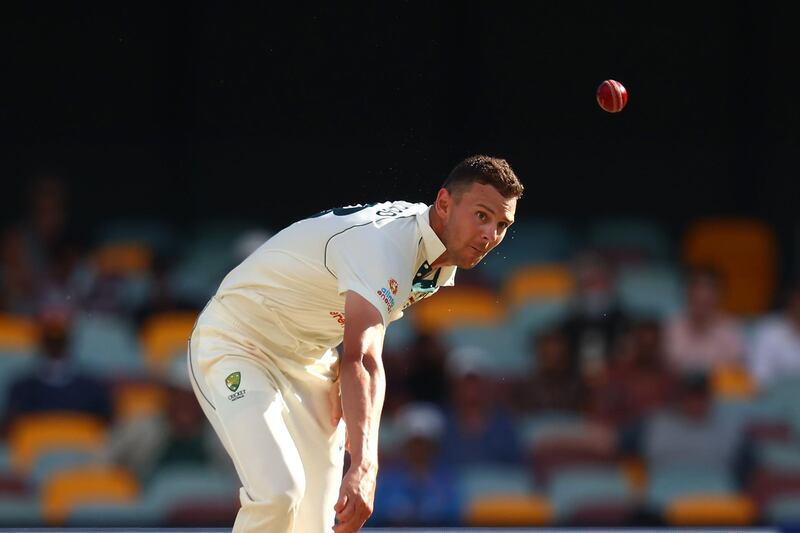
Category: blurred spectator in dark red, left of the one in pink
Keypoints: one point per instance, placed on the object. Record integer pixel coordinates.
(636, 384)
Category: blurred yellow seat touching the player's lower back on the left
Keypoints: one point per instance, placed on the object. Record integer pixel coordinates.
(164, 335)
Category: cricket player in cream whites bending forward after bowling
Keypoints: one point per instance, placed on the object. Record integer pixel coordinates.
(263, 359)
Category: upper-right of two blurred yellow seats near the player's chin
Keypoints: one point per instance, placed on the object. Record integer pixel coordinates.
(541, 281)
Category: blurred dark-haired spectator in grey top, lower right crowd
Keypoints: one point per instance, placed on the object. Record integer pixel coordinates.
(690, 433)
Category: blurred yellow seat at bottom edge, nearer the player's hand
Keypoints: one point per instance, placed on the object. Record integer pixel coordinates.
(513, 510)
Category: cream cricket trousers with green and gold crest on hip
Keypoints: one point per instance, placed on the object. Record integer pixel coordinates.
(275, 425)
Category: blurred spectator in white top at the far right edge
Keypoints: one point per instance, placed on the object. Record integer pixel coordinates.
(776, 350)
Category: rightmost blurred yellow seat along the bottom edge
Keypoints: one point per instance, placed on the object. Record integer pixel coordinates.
(698, 511)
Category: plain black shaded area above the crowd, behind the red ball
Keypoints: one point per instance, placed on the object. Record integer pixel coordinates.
(192, 112)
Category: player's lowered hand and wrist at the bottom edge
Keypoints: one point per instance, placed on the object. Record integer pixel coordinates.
(355, 499)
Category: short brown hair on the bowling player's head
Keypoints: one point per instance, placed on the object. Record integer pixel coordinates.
(486, 170)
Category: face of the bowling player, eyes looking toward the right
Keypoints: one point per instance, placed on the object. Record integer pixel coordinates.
(476, 221)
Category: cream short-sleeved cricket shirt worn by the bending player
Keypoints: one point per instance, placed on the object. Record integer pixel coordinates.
(291, 290)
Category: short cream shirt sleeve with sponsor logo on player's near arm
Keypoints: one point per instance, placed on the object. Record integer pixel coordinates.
(369, 265)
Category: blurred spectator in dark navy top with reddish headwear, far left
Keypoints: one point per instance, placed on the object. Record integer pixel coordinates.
(56, 384)
